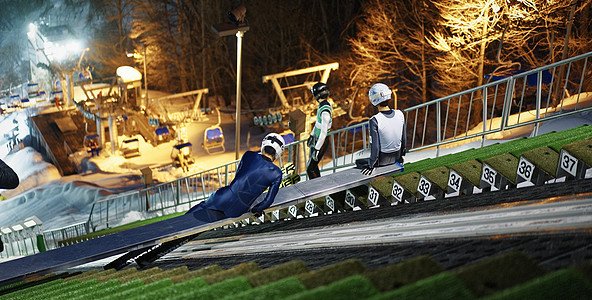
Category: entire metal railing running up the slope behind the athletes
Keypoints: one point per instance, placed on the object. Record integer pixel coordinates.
(525, 99)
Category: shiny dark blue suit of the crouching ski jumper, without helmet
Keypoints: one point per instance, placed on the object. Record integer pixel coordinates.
(255, 174)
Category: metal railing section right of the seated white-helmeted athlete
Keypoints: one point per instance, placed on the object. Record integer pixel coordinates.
(525, 99)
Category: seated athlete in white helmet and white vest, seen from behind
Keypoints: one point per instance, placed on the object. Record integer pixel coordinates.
(388, 137)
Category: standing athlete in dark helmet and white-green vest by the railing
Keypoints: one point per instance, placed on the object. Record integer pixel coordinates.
(317, 142)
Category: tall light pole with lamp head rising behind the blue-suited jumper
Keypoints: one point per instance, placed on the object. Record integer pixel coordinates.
(238, 27)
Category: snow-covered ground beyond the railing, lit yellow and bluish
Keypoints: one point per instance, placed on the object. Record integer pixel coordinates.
(62, 201)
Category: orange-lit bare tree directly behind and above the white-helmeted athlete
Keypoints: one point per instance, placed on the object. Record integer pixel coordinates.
(391, 43)
